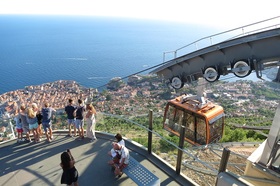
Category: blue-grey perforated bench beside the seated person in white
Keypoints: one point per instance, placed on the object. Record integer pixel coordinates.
(139, 174)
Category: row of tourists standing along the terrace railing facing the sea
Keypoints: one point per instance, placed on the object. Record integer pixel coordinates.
(31, 120)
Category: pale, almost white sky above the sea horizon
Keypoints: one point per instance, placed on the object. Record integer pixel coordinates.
(214, 13)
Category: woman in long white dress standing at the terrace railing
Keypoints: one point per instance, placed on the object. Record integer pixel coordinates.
(90, 120)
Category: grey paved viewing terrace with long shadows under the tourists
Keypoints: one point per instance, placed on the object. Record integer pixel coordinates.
(38, 163)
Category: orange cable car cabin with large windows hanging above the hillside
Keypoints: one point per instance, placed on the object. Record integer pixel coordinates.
(203, 121)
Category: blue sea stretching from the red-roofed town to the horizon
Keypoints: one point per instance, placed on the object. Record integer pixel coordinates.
(90, 50)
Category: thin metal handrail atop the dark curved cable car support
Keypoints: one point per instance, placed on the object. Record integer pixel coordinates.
(256, 27)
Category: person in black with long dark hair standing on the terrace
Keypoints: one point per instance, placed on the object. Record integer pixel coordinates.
(70, 174)
